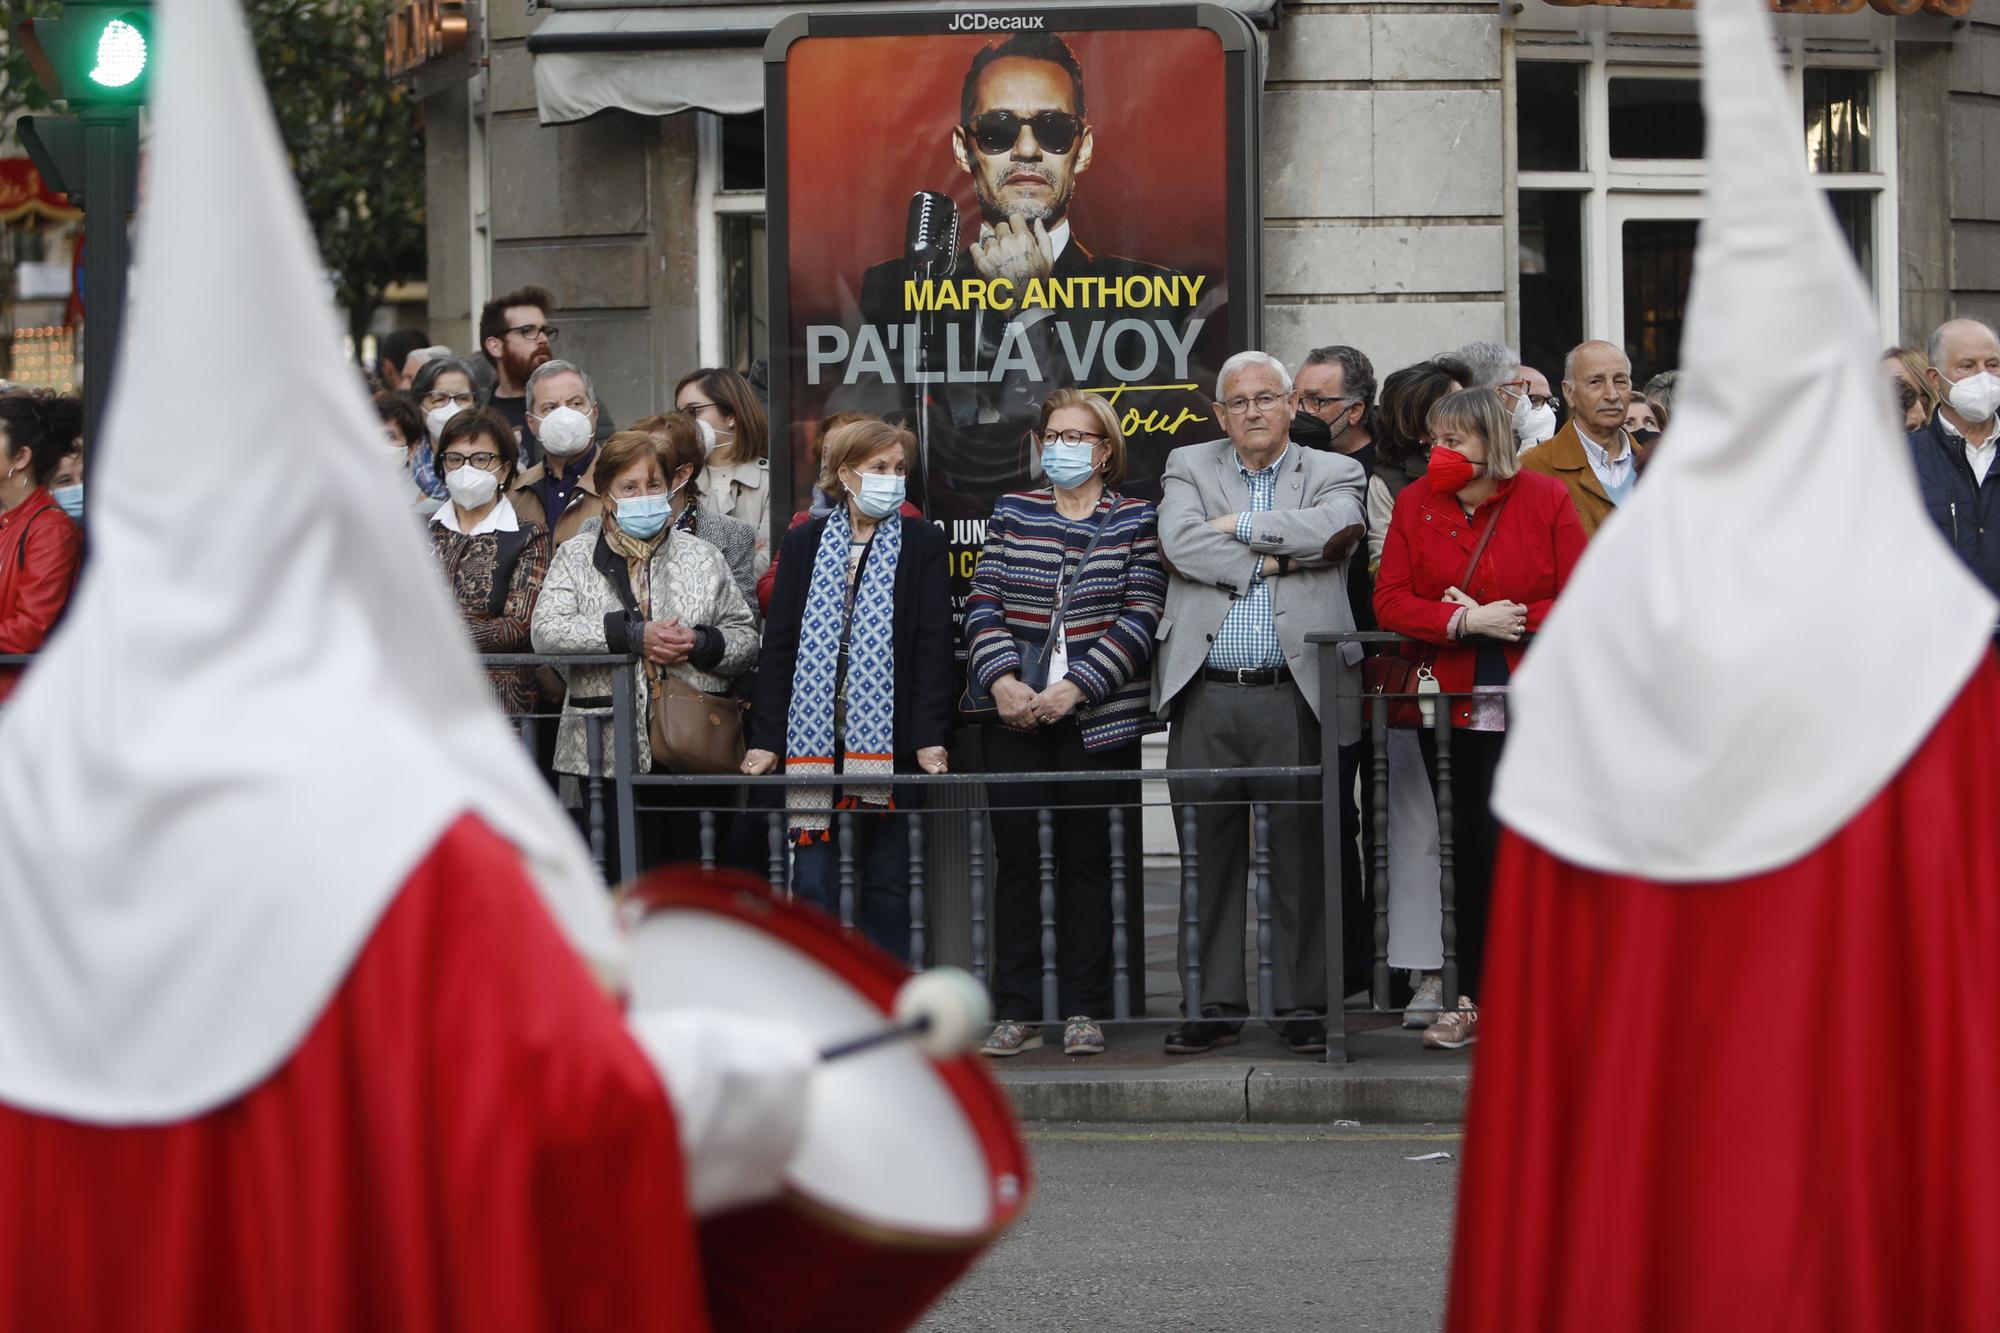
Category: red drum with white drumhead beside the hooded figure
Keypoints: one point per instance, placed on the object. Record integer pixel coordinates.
(907, 1168)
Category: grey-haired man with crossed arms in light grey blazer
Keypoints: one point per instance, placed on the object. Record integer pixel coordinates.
(1257, 535)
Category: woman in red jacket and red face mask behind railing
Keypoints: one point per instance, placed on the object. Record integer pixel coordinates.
(1475, 557)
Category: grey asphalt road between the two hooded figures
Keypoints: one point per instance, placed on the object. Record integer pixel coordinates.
(1221, 1228)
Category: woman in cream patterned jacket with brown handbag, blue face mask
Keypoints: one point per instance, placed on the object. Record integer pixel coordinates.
(631, 583)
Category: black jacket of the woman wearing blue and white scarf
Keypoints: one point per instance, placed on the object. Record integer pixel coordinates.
(927, 676)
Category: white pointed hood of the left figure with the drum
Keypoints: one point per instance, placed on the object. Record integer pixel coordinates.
(263, 708)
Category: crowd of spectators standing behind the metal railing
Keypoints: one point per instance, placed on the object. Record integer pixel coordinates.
(1447, 503)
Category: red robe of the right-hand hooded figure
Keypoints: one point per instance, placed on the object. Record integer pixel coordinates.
(1763, 1104)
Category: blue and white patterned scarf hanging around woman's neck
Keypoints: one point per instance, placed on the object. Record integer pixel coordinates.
(869, 728)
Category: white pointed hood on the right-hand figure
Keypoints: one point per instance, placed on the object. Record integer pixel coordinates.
(1765, 635)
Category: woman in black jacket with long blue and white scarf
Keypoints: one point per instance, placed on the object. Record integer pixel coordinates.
(857, 680)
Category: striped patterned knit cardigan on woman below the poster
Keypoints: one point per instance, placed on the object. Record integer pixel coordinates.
(1115, 611)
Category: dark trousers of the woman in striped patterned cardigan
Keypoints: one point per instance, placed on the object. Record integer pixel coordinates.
(1083, 854)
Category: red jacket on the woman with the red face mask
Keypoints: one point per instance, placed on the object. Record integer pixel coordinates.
(1427, 551)
